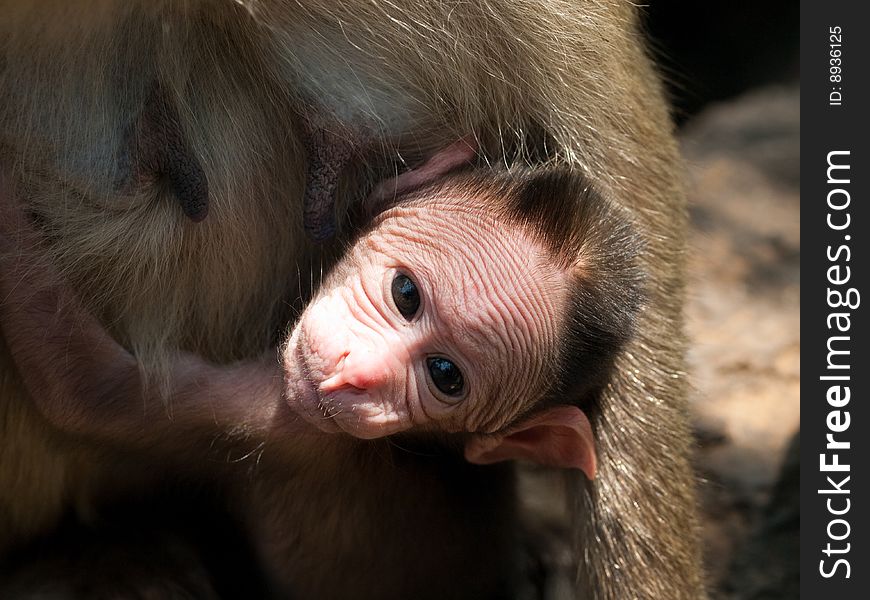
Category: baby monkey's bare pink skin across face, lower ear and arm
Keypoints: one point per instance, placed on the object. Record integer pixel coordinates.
(490, 303)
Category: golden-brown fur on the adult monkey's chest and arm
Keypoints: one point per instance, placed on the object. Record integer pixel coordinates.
(566, 82)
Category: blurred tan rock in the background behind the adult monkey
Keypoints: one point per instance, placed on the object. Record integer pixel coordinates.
(743, 312)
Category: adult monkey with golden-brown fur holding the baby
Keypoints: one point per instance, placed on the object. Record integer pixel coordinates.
(189, 252)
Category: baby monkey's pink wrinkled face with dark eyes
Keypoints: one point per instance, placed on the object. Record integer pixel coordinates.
(438, 318)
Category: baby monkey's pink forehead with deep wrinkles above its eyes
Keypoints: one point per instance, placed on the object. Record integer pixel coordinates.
(494, 294)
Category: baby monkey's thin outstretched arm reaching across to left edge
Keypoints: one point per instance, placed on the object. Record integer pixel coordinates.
(85, 383)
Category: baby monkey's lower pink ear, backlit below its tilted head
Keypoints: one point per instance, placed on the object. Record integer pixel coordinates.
(558, 437)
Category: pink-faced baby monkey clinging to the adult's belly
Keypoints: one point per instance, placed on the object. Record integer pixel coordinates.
(488, 305)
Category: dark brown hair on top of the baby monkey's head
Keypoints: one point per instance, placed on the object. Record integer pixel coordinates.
(591, 238)
